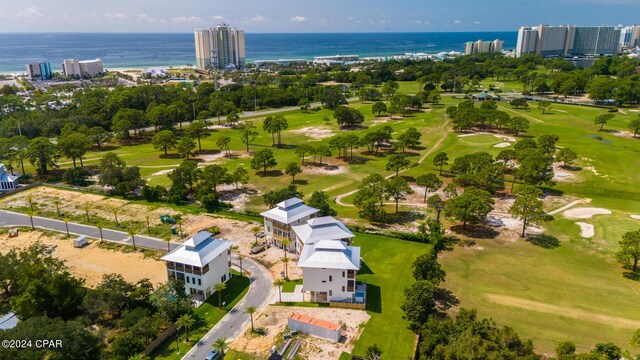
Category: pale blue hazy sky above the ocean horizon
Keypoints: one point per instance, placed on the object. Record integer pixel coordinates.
(308, 16)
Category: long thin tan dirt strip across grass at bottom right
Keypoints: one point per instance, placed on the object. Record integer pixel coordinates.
(567, 312)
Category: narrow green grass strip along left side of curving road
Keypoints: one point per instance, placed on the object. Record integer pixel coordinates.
(210, 314)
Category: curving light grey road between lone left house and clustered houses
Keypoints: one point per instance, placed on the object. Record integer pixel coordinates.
(236, 321)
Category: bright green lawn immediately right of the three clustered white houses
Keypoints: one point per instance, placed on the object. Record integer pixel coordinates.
(387, 272)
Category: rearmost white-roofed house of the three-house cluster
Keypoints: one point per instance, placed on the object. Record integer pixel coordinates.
(278, 221)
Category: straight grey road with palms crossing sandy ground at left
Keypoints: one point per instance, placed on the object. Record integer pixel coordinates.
(10, 218)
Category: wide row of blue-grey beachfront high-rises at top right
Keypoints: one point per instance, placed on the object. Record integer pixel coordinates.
(567, 40)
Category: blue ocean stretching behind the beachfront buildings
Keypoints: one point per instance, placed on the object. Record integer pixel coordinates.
(139, 50)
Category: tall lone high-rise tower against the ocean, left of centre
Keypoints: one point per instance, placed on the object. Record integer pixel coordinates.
(221, 47)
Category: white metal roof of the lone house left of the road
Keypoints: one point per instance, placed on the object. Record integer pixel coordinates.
(198, 250)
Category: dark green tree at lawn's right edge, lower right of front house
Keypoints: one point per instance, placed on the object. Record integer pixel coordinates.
(419, 303)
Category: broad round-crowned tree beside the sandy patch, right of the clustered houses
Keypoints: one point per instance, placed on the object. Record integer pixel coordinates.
(471, 207)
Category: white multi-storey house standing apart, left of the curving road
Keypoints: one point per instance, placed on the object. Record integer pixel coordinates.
(200, 263)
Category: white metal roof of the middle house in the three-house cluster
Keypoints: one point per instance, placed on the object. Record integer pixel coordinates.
(322, 228)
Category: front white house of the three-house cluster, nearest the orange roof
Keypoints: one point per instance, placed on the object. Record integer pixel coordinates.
(329, 270)
